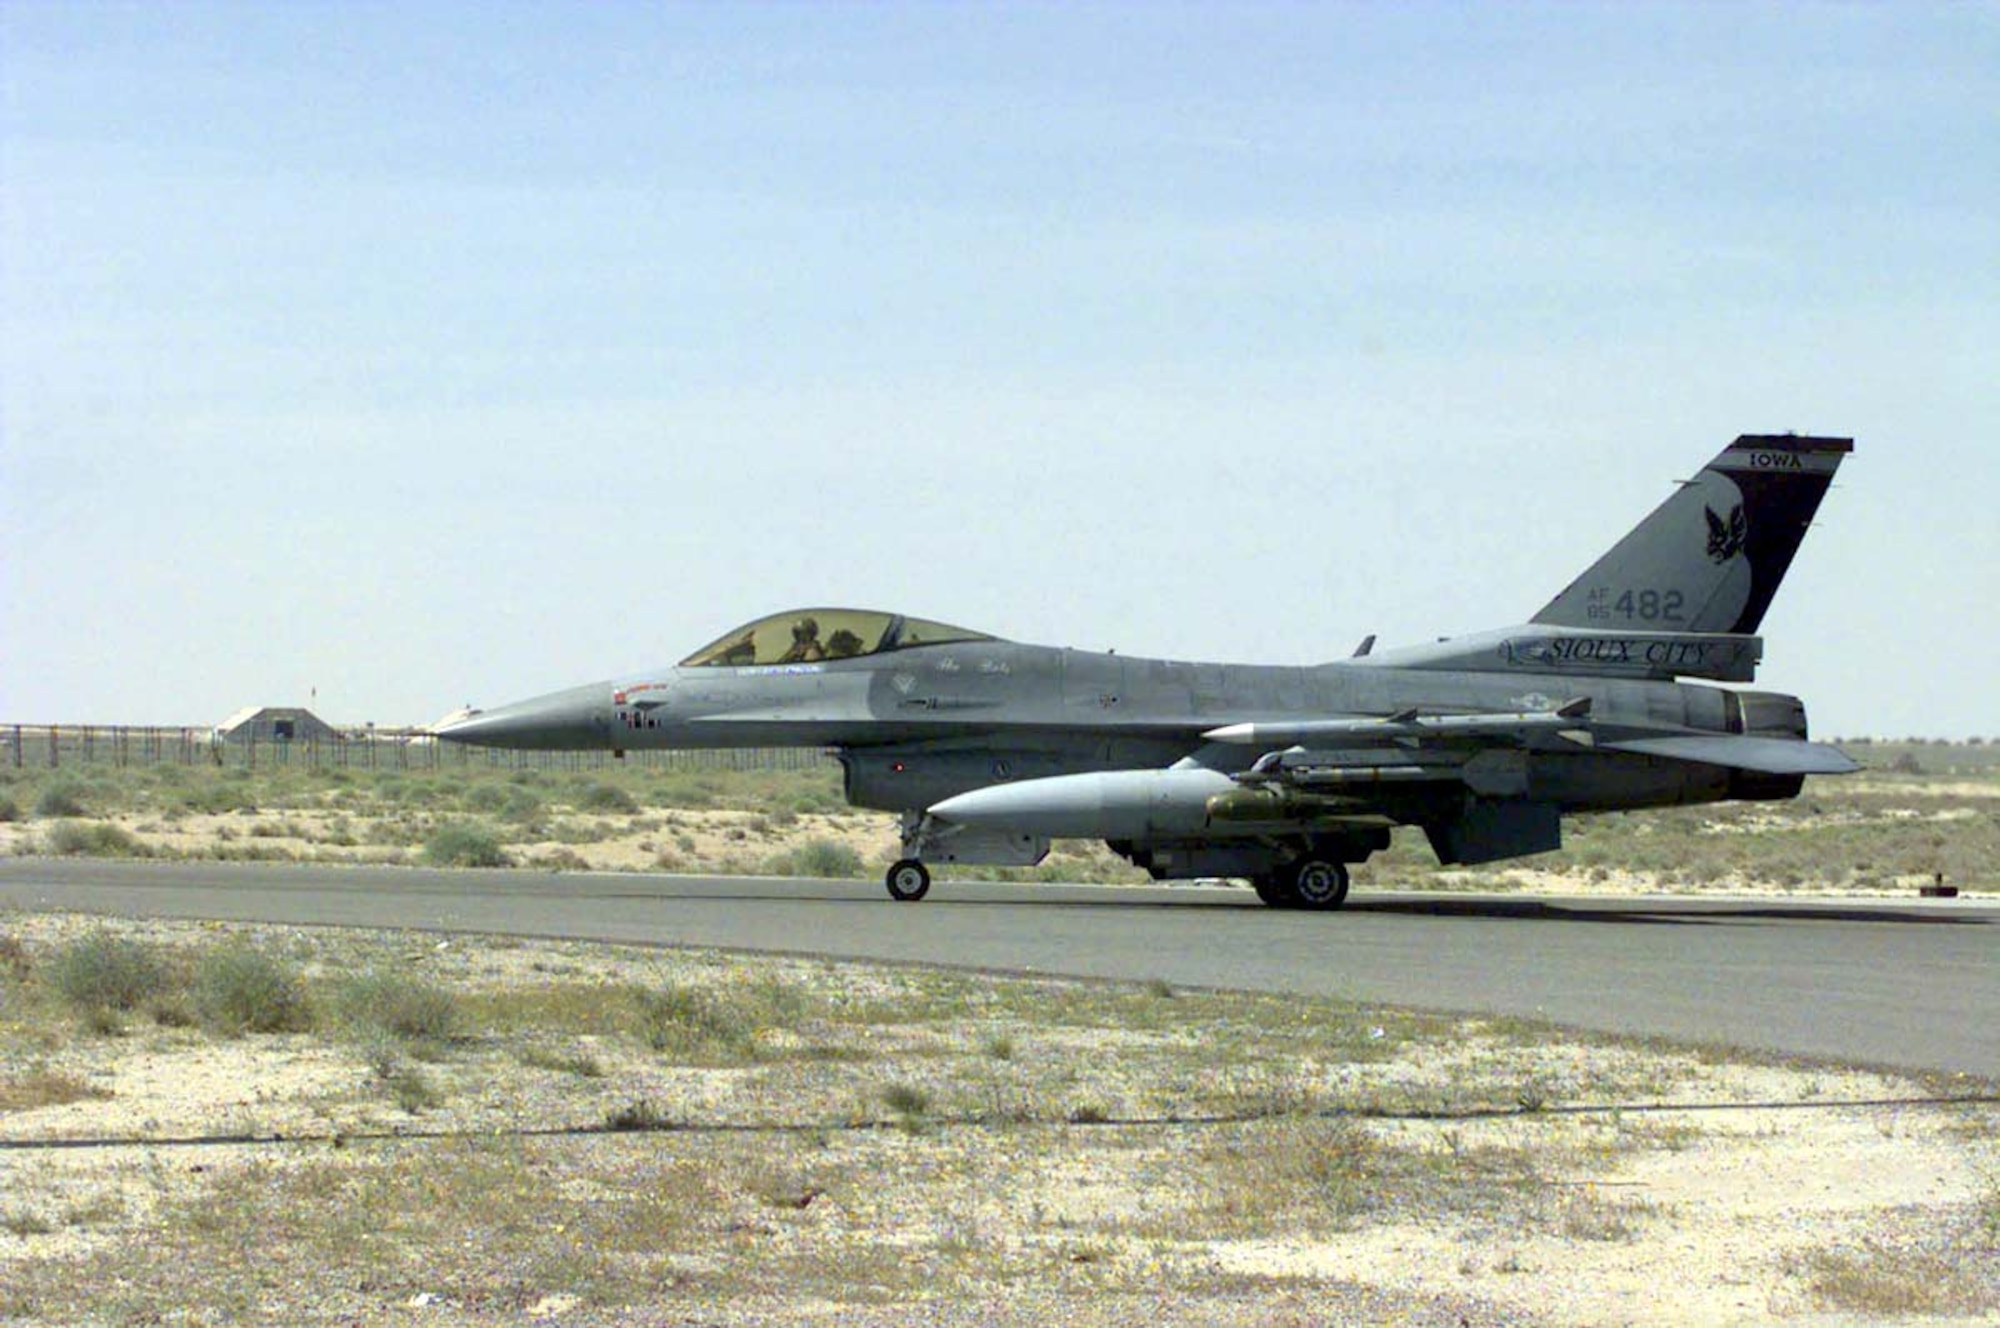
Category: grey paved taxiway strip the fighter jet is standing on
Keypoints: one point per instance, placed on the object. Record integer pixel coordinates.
(1909, 985)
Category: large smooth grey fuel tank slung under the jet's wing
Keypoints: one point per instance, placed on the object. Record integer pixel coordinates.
(1109, 805)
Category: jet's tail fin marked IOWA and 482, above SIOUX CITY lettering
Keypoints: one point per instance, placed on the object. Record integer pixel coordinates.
(1711, 557)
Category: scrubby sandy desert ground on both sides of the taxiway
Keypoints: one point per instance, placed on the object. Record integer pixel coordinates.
(215, 1125)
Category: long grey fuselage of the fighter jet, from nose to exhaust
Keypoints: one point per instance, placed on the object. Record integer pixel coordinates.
(931, 723)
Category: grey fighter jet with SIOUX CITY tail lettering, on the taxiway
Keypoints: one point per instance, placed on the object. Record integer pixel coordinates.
(1287, 777)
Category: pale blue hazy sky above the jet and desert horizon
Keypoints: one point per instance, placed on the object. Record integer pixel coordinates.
(423, 355)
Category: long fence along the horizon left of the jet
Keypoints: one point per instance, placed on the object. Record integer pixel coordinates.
(365, 749)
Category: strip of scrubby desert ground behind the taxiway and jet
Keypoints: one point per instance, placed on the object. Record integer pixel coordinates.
(1919, 813)
